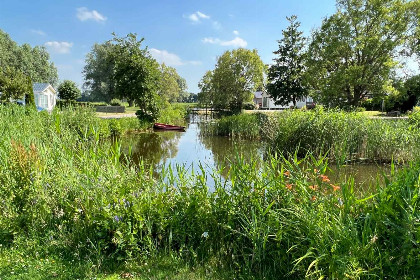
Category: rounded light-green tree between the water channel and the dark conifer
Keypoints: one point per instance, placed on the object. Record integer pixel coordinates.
(238, 73)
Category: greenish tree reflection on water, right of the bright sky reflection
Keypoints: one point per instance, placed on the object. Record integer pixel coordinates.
(227, 151)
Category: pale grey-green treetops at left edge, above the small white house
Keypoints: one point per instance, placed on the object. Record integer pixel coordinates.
(33, 62)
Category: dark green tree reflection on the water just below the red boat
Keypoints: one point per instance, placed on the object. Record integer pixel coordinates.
(151, 148)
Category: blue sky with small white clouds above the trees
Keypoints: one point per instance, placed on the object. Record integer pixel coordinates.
(188, 35)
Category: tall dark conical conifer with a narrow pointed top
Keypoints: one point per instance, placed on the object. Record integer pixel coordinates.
(285, 77)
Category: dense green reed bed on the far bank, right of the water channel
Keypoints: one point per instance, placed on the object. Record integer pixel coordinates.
(340, 135)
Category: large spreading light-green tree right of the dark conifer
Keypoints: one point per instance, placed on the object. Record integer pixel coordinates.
(353, 54)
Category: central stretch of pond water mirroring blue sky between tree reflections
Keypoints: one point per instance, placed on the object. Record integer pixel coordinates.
(189, 149)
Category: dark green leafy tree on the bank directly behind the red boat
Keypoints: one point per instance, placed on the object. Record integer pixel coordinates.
(136, 75)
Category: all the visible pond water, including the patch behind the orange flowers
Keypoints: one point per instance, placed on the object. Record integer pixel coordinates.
(161, 149)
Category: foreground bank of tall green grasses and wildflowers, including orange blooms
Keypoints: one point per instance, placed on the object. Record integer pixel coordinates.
(71, 209)
